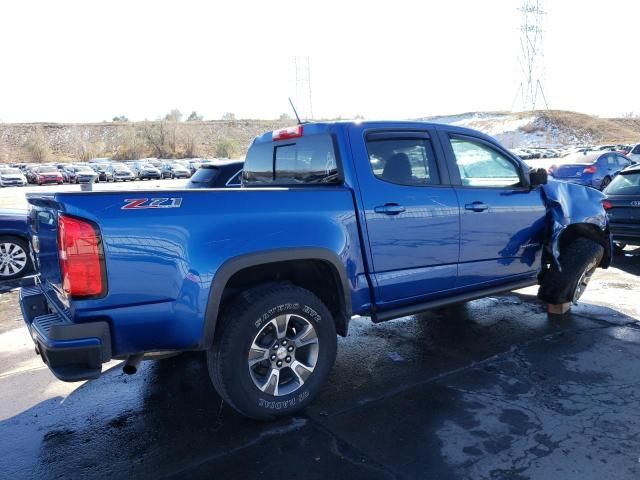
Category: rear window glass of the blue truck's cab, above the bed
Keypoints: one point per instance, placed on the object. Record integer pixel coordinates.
(305, 160)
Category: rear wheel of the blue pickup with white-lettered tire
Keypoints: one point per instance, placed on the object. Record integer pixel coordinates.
(228, 360)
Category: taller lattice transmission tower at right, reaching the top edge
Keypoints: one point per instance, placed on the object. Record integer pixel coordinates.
(532, 54)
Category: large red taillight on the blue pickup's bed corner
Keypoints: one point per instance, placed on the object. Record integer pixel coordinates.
(81, 258)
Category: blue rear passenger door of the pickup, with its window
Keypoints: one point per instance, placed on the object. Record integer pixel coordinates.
(411, 212)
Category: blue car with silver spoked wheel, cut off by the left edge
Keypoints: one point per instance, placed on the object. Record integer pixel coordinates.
(15, 259)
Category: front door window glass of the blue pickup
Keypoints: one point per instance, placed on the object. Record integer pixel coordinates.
(482, 166)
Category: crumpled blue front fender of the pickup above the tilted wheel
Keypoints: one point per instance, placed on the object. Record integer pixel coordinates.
(572, 207)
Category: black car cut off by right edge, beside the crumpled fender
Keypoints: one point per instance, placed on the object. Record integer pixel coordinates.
(623, 207)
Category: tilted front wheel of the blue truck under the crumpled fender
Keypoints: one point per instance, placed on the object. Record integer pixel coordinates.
(578, 262)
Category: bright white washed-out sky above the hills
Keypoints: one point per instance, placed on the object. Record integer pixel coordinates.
(76, 61)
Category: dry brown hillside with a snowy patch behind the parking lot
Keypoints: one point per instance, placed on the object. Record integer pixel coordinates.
(230, 138)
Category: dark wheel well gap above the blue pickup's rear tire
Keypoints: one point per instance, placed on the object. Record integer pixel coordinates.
(317, 276)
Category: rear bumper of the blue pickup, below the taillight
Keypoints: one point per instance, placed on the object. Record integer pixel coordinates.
(72, 351)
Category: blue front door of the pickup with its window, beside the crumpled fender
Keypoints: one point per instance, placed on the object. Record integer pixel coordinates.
(502, 220)
